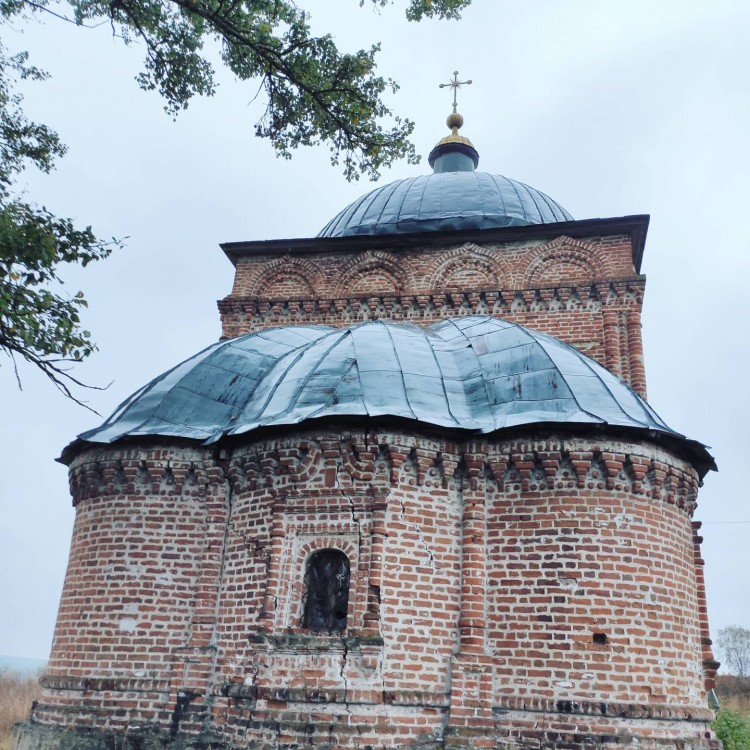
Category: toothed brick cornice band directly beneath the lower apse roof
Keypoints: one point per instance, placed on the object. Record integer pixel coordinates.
(370, 462)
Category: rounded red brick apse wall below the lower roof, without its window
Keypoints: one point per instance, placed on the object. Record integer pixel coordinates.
(495, 584)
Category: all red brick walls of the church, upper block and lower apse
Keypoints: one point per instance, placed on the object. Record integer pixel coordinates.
(536, 587)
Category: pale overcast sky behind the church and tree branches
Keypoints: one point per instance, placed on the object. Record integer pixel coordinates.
(612, 108)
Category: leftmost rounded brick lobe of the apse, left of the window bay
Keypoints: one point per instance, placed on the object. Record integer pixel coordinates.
(135, 585)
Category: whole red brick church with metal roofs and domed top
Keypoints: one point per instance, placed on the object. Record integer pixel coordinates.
(413, 498)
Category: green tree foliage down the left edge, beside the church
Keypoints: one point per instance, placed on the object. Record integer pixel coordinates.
(37, 323)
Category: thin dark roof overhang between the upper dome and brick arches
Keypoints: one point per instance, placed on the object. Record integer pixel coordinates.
(635, 226)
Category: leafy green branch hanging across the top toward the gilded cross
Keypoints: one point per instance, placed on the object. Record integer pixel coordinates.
(314, 92)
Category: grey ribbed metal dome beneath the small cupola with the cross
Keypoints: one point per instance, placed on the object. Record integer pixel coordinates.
(445, 201)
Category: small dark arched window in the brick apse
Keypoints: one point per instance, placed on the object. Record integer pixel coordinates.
(326, 591)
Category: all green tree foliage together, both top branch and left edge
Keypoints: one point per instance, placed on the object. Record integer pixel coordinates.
(314, 93)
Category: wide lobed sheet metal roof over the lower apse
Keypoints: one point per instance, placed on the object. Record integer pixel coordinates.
(475, 374)
